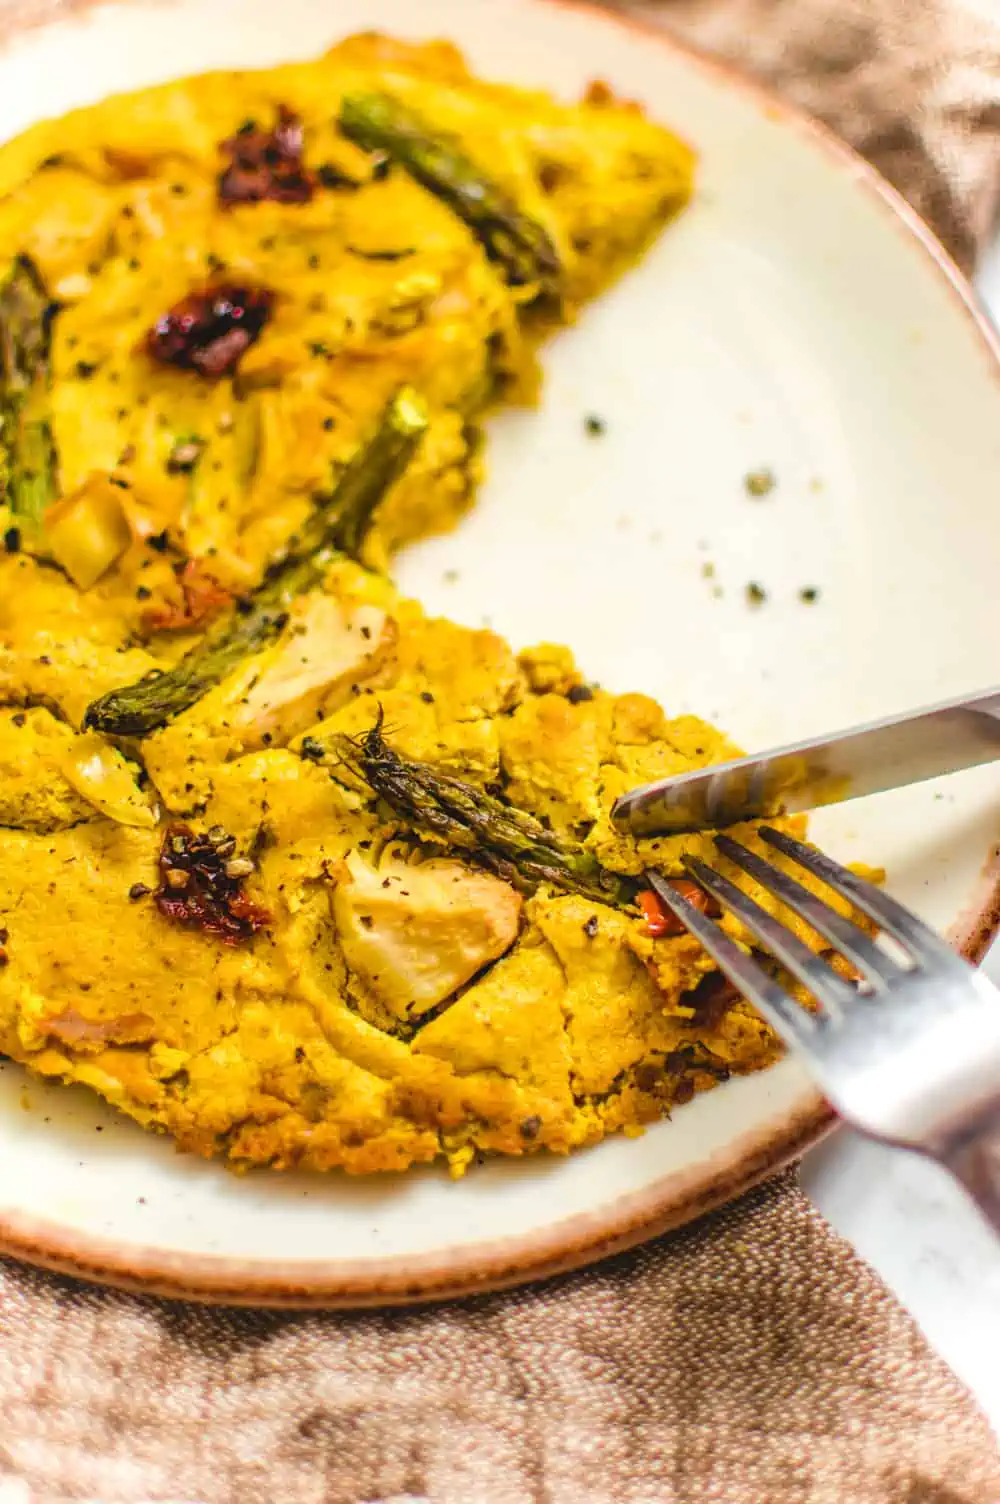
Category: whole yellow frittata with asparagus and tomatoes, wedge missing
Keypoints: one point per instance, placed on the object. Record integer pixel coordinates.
(288, 869)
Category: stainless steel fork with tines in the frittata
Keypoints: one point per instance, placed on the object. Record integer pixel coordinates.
(912, 1054)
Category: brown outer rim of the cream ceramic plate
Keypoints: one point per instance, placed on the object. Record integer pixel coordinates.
(667, 1204)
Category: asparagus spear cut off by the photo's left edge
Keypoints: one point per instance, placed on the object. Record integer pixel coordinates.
(28, 455)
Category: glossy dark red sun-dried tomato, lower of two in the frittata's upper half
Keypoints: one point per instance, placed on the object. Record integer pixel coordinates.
(210, 332)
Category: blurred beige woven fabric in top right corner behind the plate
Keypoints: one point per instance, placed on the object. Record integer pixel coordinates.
(914, 85)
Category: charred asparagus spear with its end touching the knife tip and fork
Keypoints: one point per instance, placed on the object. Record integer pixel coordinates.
(508, 841)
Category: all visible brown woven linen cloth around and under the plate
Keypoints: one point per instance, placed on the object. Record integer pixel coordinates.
(748, 1360)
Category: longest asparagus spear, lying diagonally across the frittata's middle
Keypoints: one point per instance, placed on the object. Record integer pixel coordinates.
(338, 526)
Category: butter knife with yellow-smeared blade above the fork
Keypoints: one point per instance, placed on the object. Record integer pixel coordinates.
(867, 760)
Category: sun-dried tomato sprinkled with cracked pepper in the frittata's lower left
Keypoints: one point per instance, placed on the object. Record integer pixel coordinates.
(202, 885)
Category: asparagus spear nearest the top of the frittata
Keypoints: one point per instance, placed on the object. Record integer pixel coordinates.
(518, 243)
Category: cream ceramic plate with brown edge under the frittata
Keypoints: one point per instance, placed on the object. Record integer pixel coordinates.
(796, 320)
